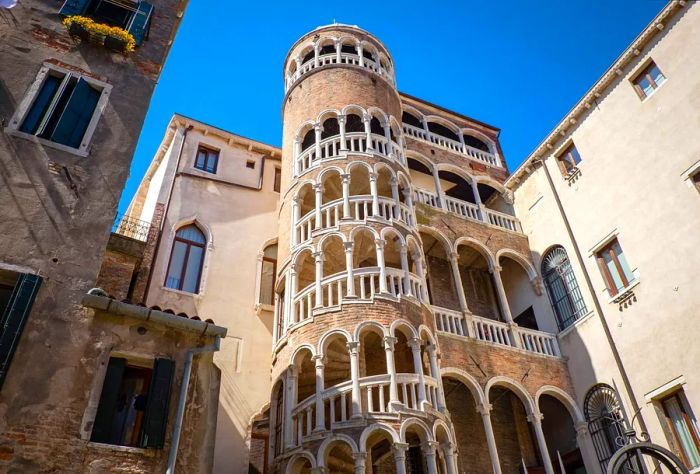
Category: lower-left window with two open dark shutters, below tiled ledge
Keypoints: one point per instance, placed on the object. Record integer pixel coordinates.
(133, 408)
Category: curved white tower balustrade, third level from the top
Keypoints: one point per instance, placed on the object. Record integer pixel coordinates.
(360, 210)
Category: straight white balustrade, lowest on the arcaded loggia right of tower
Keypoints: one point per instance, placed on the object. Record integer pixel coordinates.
(495, 332)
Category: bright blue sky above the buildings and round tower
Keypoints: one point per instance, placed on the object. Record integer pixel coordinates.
(518, 65)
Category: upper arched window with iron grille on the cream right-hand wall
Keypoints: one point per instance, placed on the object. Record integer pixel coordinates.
(562, 287)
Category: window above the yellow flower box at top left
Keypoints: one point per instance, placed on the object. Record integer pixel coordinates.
(133, 16)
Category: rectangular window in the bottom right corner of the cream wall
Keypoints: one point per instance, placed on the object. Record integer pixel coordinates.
(683, 427)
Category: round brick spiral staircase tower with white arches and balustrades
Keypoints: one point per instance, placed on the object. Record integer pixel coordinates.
(355, 373)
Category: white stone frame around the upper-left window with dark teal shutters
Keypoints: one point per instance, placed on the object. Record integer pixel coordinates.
(21, 112)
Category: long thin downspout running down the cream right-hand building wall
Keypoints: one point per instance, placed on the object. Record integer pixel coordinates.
(596, 302)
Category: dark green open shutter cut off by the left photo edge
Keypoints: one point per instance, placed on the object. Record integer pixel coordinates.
(15, 317)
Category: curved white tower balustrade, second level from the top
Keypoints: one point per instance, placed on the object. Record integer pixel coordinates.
(355, 142)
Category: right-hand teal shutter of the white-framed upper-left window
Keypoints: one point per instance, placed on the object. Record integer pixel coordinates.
(76, 116)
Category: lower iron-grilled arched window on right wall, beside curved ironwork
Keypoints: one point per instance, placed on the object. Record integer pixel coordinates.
(606, 422)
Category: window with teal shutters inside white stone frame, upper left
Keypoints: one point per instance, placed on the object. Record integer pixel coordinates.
(62, 108)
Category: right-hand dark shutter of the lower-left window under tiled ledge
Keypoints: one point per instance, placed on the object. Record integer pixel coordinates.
(156, 416)
